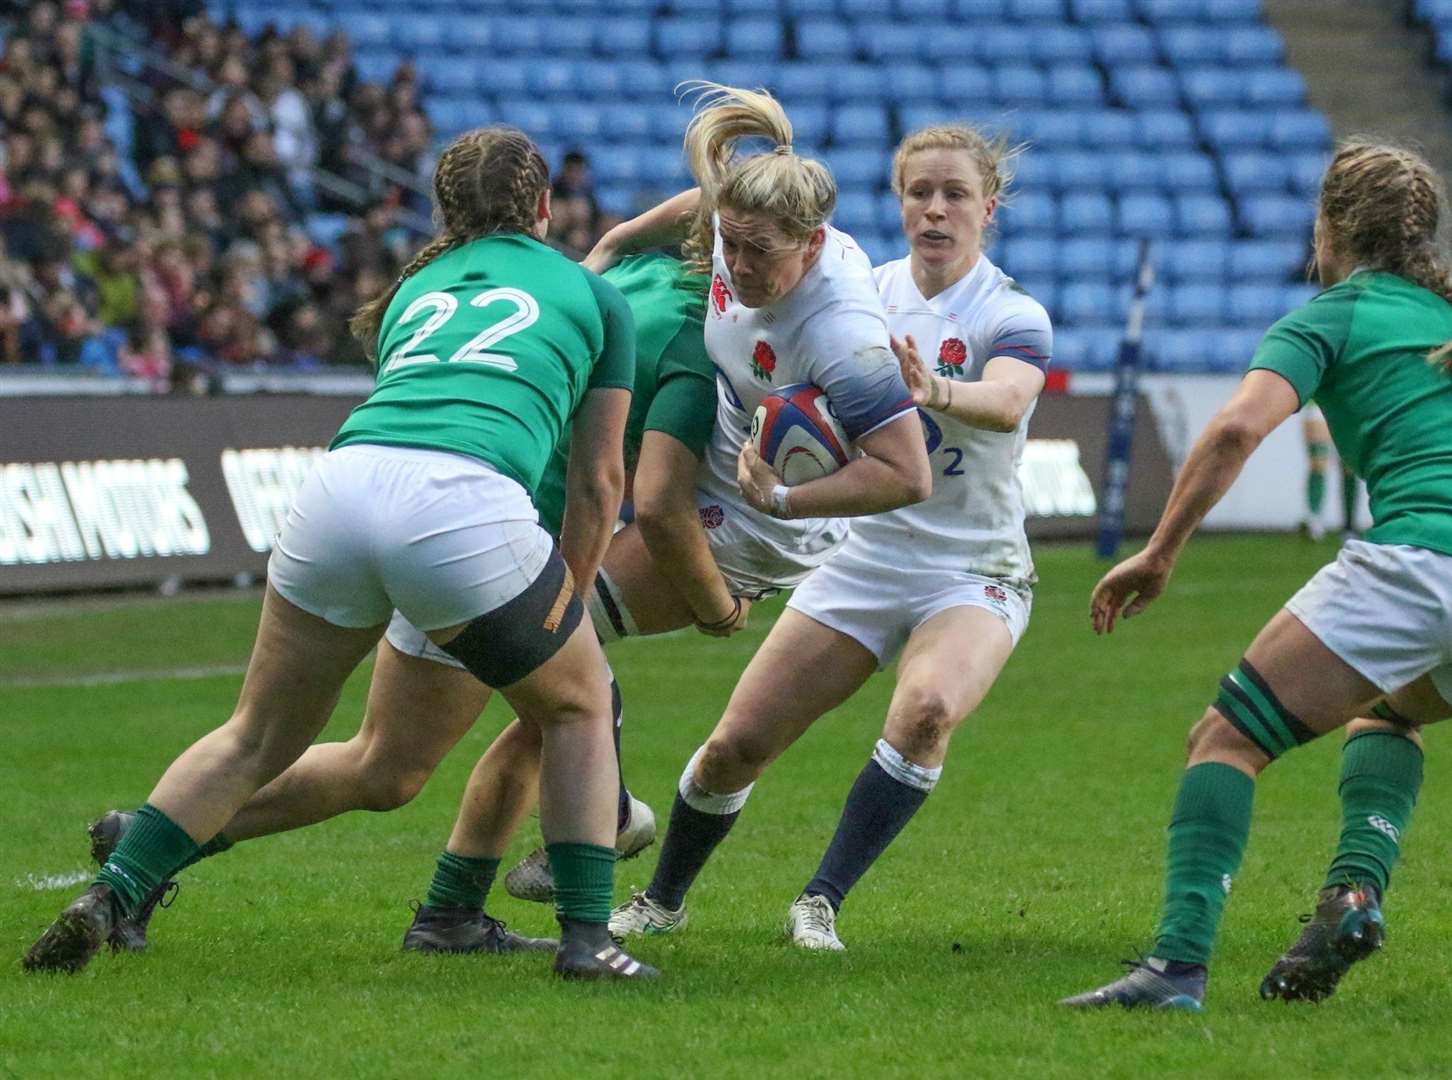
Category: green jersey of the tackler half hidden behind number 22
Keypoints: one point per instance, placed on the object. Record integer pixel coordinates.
(676, 382)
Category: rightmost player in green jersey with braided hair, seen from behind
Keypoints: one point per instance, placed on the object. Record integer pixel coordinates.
(1370, 635)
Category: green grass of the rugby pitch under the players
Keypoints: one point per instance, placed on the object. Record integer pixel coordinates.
(1032, 870)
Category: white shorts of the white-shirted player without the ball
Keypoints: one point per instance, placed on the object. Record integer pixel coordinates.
(881, 603)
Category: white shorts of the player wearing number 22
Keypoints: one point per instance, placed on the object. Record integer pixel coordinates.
(438, 536)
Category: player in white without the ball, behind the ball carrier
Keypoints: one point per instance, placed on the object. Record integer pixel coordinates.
(946, 584)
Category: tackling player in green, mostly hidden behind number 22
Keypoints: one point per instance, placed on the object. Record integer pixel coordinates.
(422, 700)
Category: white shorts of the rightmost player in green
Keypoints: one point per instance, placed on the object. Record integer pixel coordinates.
(1386, 610)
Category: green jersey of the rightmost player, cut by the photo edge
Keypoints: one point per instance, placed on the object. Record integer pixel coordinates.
(1361, 349)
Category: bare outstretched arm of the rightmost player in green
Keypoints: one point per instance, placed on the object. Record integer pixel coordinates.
(1263, 403)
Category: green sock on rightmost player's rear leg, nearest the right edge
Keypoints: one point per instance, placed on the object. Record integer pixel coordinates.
(1382, 774)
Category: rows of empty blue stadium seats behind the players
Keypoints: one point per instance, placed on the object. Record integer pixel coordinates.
(1175, 121)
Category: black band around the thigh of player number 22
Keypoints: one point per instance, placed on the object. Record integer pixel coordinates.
(503, 647)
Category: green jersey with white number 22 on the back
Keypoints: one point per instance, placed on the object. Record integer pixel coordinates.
(489, 352)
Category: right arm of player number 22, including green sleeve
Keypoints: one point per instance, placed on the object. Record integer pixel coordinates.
(596, 474)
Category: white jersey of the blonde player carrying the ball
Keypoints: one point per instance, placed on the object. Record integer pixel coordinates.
(830, 330)
